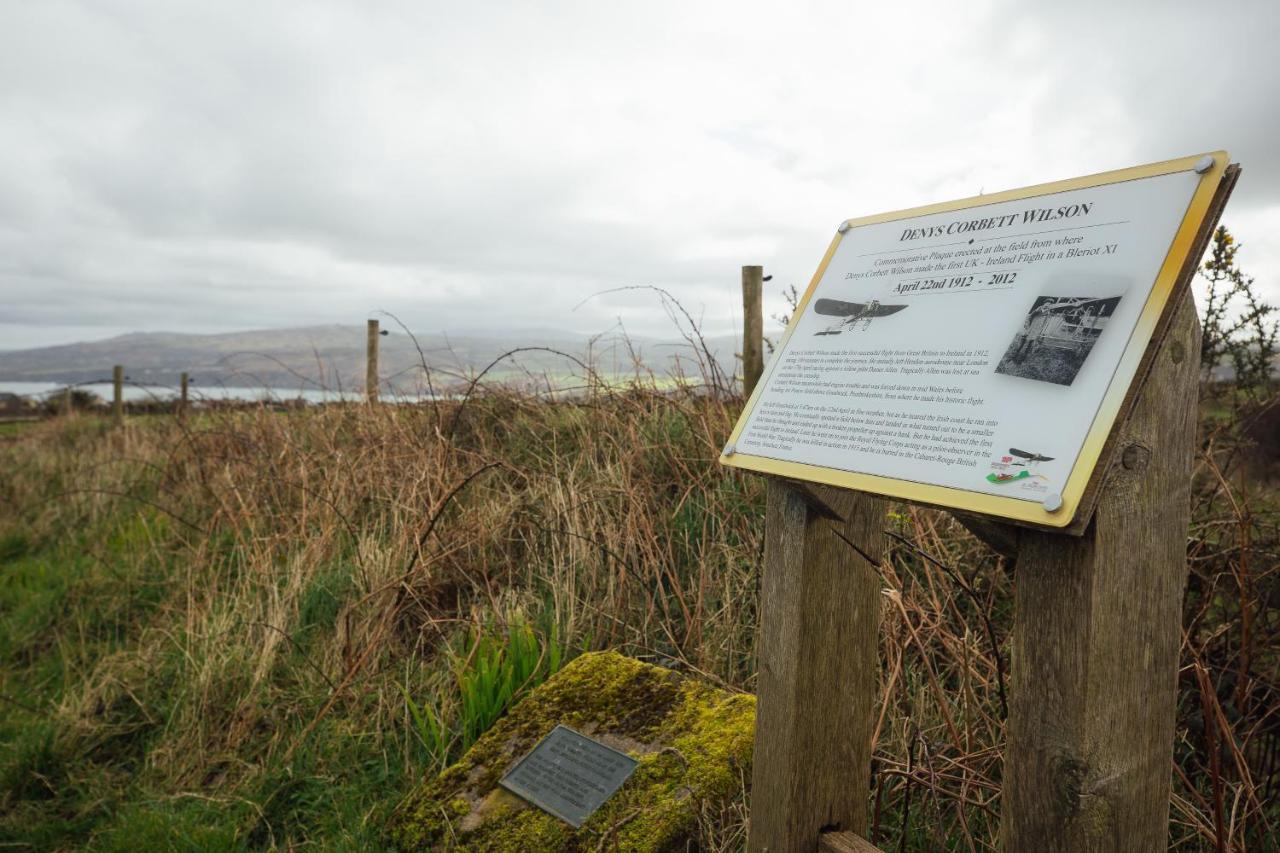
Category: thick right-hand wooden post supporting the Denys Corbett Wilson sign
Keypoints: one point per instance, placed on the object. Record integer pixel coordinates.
(1096, 637)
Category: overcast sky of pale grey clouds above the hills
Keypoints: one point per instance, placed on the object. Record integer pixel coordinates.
(227, 166)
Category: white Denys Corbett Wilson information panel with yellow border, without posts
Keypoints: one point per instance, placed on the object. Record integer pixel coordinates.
(976, 354)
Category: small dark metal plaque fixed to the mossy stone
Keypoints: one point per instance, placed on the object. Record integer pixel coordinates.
(569, 776)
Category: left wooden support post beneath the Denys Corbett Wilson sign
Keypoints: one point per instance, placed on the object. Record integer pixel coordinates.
(817, 676)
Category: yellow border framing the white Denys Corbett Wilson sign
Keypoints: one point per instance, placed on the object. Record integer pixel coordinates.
(1078, 481)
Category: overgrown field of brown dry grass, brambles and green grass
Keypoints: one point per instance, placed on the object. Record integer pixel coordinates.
(260, 628)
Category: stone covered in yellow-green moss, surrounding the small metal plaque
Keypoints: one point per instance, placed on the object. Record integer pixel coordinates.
(693, 743)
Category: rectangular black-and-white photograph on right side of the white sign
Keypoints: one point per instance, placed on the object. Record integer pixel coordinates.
(1057, 337)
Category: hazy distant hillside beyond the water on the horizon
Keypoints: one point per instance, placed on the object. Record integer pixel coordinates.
(333, 357)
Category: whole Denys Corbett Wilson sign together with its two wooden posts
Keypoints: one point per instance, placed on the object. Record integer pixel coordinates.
(1068, 443)
